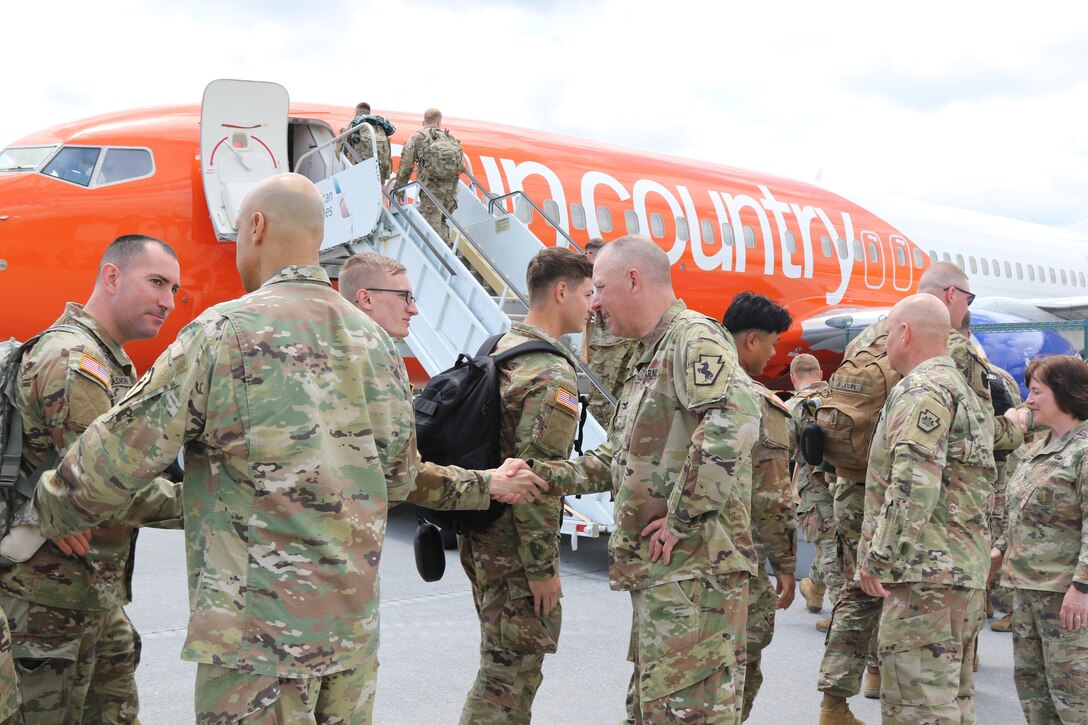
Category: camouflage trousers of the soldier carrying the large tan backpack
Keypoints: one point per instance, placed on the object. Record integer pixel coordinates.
(851, 640)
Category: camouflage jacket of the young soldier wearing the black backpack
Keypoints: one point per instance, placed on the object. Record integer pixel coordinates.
(540, 420)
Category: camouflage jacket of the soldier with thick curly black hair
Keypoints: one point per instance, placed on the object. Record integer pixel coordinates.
(774, 513)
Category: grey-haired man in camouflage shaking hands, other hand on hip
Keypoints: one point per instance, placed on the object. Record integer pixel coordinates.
(678, 462)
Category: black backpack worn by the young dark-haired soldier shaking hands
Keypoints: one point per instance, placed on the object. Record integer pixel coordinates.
(458, 423)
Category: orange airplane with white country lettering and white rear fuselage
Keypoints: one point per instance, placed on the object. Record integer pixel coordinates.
(835, 263)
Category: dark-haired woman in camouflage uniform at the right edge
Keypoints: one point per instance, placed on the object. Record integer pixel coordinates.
(1046, 549)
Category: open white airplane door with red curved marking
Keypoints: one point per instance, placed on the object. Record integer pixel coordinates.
(243, 141)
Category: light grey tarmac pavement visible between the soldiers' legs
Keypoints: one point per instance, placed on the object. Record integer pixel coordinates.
(430, 645)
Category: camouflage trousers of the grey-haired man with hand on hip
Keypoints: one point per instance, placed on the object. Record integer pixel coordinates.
(688, 648)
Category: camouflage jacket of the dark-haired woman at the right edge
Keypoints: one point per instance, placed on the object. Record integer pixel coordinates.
(1047, 539)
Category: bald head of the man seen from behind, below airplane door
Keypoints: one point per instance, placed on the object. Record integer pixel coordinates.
(281, 224)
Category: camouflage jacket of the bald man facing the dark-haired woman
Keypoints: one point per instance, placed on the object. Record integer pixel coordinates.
(930, 484)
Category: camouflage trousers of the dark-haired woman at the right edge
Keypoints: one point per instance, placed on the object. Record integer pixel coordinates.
(1050, 665)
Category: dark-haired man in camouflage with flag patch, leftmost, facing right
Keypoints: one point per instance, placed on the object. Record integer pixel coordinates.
(75, 647)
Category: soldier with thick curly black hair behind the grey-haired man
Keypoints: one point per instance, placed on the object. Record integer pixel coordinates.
(757, 325)
